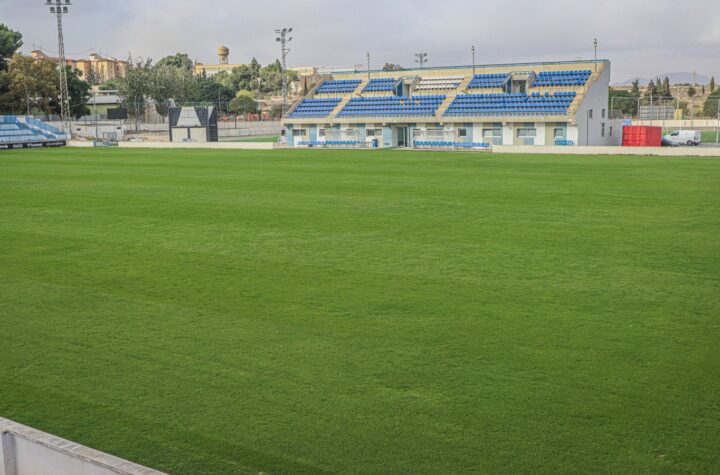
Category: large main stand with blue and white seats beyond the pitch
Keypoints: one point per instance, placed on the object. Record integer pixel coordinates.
(563, 103)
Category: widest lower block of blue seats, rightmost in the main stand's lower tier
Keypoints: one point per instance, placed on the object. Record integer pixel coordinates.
(517, 104)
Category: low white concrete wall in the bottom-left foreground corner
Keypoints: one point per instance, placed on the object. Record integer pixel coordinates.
(26, 451)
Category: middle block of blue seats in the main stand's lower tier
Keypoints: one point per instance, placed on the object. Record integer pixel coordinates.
(394, 106)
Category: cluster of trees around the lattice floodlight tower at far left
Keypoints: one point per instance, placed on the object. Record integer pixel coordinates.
(29, 86)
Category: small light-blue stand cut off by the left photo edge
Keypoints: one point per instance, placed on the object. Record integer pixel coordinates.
(24, 131)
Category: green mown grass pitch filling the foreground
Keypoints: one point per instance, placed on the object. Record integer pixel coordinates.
(364, 312)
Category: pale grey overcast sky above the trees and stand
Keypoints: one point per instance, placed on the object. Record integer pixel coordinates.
(640, 37)
